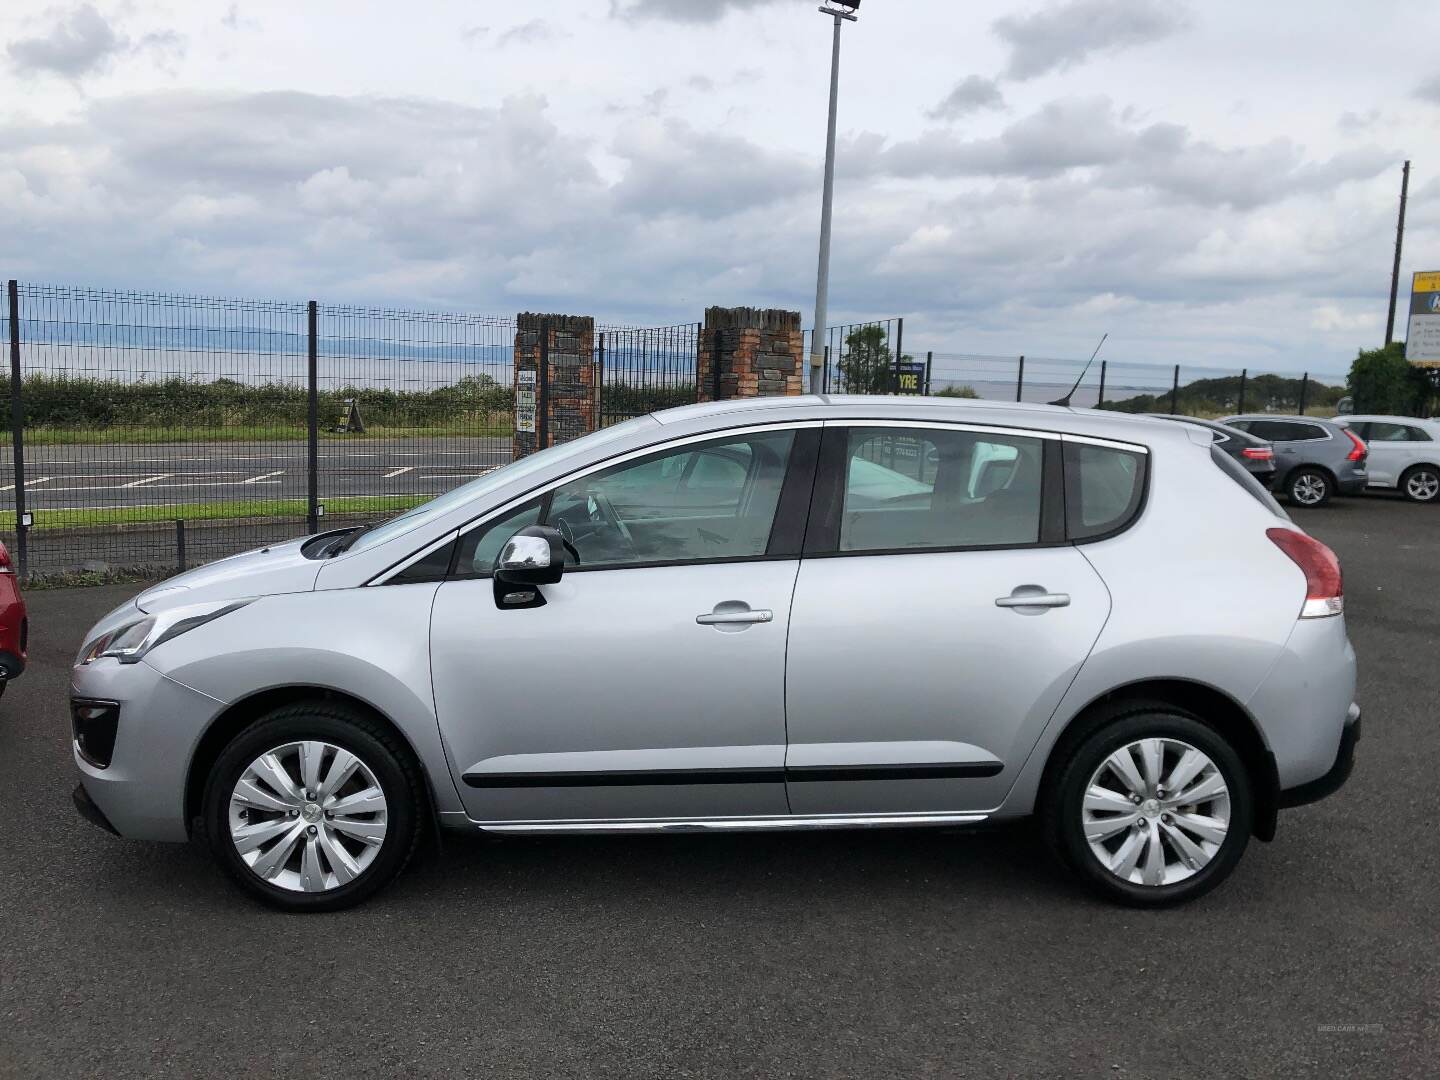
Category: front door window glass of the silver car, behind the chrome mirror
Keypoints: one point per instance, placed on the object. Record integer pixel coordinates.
(715, 500)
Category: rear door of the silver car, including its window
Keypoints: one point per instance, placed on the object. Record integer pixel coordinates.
(941, 621)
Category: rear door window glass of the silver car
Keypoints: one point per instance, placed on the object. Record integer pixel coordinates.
(912, 489)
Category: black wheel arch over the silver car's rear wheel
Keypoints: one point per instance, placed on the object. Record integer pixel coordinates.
(1210, 705)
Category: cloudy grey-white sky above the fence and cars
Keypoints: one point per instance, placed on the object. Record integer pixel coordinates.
(1210, 184)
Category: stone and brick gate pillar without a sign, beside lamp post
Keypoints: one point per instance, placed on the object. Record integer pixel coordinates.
(751, 354)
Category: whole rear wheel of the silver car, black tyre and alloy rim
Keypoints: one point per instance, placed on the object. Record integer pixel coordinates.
(1117, 819)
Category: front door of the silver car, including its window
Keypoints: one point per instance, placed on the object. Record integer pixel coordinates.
(652, 683)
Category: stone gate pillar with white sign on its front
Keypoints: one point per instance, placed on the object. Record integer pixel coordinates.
(555, 362)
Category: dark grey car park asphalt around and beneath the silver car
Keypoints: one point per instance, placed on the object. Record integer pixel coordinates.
(859, 955)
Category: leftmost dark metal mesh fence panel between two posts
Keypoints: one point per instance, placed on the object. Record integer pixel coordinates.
(143, 411)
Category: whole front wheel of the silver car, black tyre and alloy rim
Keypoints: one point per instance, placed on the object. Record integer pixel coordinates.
(315, 809)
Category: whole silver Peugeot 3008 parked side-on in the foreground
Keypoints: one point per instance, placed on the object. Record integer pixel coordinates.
(778, 614)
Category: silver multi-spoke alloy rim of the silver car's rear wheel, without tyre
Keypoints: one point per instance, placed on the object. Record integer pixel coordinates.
(1156, 811)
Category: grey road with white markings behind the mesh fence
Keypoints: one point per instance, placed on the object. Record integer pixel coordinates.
(149, 474)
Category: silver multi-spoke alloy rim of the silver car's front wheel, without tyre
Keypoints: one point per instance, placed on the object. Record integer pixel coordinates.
(307, 817)
